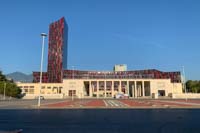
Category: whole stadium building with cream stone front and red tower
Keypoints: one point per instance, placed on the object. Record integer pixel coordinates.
(60, 82)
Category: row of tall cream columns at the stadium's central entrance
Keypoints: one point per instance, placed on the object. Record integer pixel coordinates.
(131, 88)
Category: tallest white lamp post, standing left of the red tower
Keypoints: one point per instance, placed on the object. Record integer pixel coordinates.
(41, 65)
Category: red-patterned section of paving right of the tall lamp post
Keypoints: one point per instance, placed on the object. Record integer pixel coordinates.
(124, 103)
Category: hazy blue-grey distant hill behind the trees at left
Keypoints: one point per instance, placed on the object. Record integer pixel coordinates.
(20, 77)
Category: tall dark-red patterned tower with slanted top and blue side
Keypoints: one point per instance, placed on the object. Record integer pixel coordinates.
(57, 51)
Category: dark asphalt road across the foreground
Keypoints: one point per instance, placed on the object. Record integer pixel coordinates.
(101, 120)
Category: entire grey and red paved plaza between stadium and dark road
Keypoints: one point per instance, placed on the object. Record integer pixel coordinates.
(100, 103)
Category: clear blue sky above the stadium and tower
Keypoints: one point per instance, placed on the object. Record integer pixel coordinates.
(144, 34)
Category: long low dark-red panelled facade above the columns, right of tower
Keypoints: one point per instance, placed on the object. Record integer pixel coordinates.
(143, 74)
